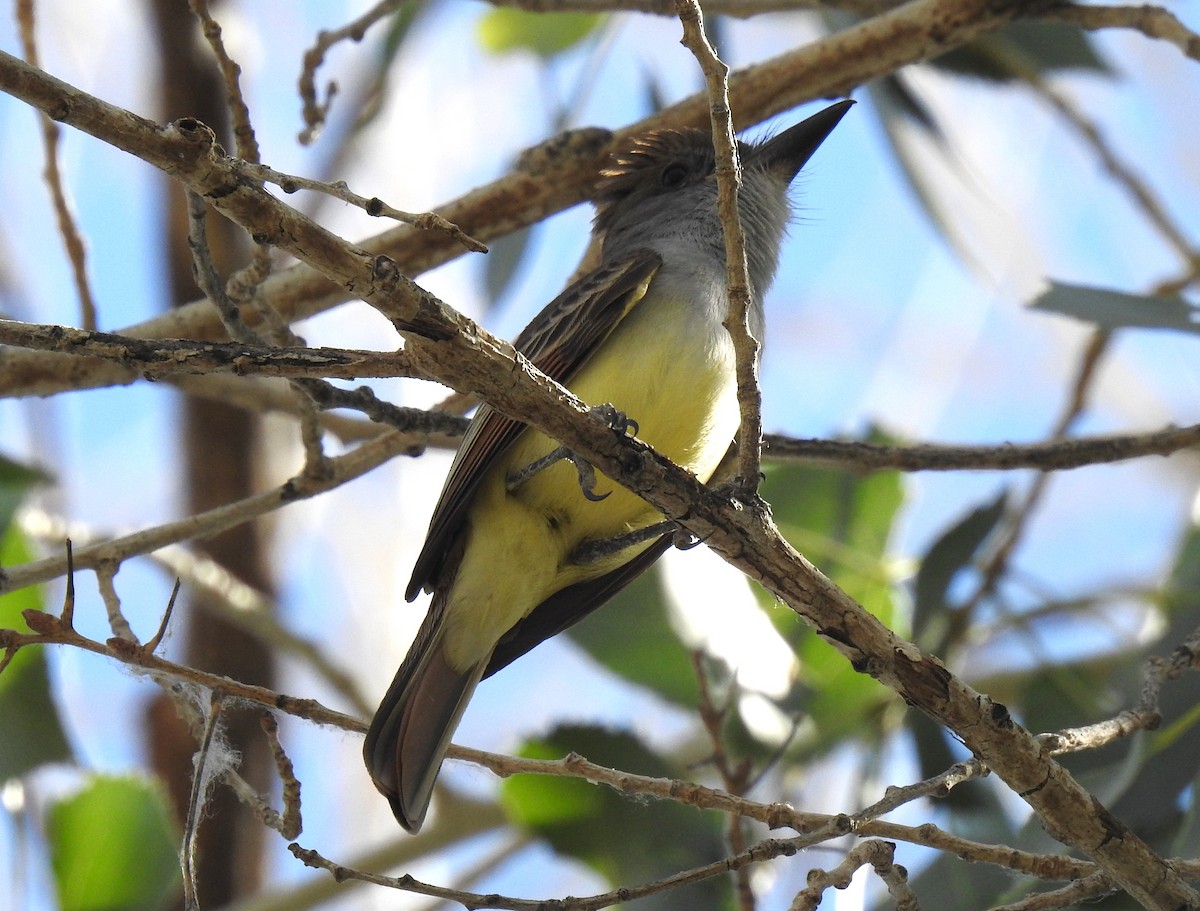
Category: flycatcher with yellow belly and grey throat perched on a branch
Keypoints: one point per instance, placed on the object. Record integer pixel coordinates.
(523, 544)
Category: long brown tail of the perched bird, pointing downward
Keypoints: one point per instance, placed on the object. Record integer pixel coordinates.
(412, 729)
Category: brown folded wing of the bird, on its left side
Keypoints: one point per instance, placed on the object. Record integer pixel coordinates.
(559, 341)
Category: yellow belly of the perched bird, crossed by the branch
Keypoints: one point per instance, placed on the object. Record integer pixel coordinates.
(676, 379)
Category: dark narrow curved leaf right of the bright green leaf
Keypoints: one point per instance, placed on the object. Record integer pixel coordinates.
(952, 553)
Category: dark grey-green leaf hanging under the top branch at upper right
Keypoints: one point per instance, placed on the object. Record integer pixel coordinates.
(1024, 47)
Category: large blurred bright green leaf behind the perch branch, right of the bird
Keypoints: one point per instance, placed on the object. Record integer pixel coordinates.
(842, 523)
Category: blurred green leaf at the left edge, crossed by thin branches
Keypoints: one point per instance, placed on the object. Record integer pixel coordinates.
(28, 716)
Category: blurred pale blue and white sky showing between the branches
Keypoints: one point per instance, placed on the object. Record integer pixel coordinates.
(873, 320)
